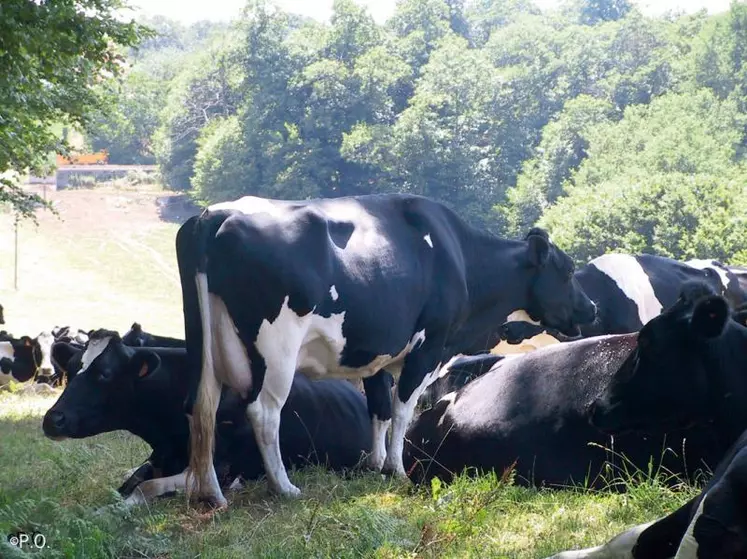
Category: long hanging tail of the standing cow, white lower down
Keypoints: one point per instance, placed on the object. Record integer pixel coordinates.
(202, 426)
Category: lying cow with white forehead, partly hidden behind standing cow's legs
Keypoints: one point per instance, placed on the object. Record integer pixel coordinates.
(142, 390)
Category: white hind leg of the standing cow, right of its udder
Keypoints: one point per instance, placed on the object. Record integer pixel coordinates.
(264, 415)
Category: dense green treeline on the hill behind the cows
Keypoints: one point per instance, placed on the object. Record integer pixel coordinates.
(613, 130)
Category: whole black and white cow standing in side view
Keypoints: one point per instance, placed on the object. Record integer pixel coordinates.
(348, 287)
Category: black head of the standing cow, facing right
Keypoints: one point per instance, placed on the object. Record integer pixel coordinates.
(555, 297)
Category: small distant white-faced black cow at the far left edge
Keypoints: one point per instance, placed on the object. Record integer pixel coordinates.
(25, 358)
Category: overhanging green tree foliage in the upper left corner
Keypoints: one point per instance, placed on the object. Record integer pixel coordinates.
(53, 52)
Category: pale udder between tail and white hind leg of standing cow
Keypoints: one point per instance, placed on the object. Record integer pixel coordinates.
(229, 354)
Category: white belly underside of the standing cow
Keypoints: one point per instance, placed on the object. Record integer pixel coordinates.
(323, 345)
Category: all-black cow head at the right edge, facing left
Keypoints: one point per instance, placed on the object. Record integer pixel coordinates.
(679, 372)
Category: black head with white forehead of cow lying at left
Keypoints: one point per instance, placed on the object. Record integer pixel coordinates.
(100, 397)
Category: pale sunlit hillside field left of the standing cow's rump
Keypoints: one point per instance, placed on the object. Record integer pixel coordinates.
(106, 261)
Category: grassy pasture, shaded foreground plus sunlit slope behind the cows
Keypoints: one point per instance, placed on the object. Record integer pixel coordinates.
(111, 261)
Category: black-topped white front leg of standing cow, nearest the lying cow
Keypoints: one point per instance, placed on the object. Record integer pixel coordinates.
(420, 369)
